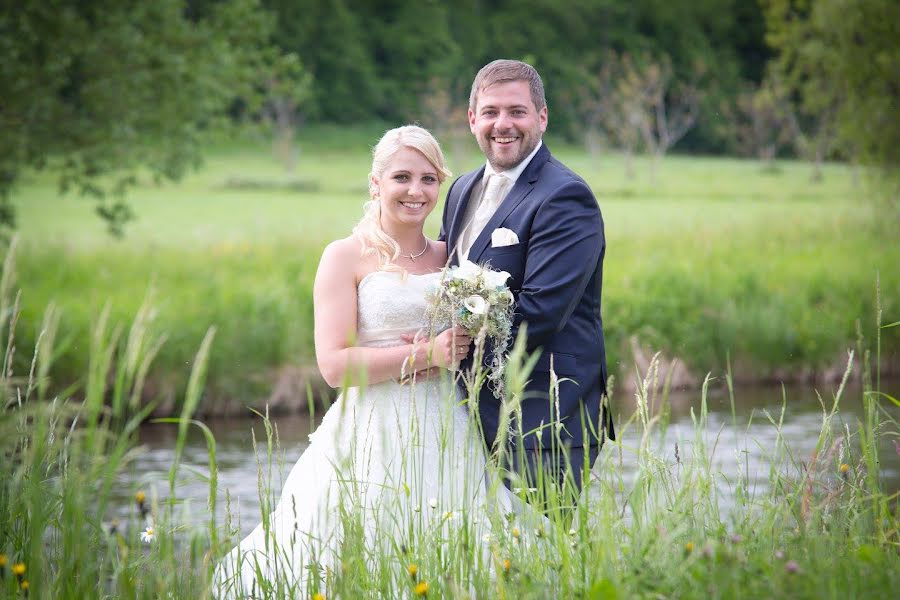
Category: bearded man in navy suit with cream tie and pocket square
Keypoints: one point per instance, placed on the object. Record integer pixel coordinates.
(524, 212)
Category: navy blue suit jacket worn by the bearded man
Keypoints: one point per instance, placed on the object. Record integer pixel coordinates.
(556, 276)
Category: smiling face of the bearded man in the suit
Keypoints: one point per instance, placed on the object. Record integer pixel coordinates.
(506, 123)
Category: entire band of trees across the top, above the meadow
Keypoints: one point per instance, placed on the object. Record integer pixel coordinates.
(101, 92)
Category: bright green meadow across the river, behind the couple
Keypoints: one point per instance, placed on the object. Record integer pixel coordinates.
(717, 258)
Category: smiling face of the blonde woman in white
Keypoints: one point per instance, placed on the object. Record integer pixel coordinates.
(407, 189)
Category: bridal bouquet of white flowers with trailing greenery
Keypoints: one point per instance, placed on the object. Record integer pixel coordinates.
(477, 299)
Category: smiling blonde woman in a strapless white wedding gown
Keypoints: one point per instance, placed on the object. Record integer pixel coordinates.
(396, 451)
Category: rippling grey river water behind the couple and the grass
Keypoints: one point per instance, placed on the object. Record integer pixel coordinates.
(743, 448)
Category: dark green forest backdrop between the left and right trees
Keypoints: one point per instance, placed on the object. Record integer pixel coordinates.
(402, 61)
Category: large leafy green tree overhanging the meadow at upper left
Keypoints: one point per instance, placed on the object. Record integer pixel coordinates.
(97, 90)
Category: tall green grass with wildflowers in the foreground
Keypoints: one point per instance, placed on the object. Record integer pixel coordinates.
(824, 527)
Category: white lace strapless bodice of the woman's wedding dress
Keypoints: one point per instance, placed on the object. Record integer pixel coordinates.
(390, 305)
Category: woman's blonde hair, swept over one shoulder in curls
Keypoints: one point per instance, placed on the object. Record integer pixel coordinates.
(369, 231)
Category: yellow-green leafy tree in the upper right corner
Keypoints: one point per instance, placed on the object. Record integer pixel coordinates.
(842, 57)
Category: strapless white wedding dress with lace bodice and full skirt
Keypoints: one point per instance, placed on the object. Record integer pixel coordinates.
(394, 457)
